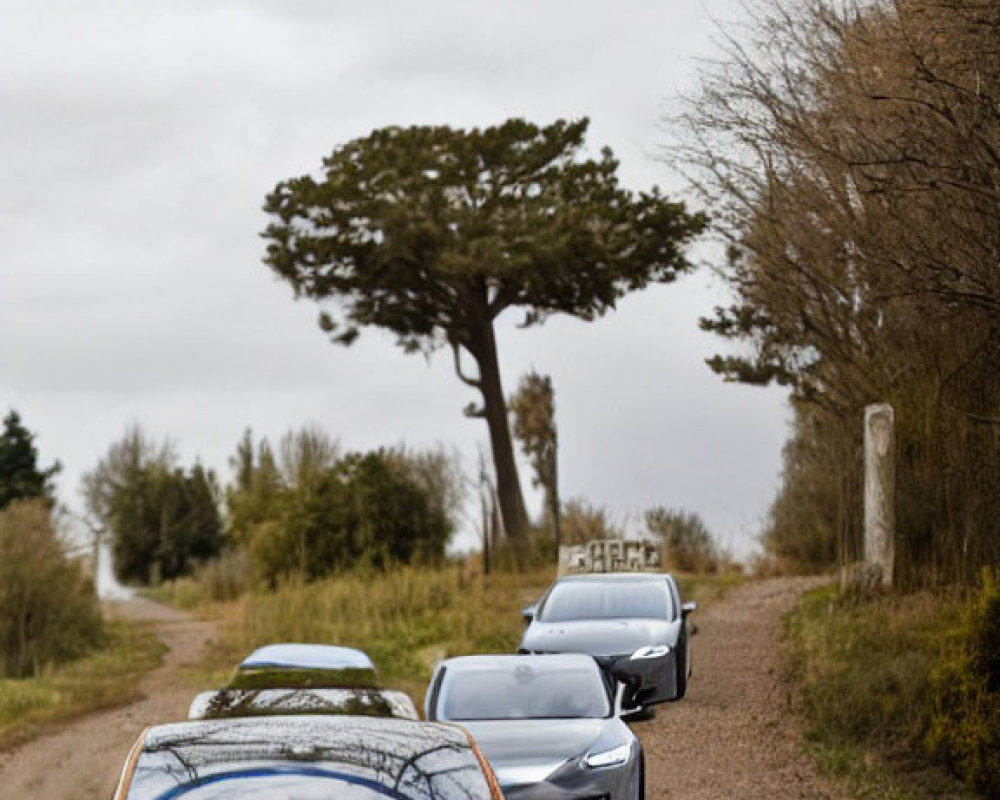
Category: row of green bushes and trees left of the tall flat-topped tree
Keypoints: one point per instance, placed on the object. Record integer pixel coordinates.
(306, 510)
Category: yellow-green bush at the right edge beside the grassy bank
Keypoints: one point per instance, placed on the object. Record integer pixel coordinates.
(965, 724)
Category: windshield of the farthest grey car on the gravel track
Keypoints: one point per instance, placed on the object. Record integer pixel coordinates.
(573, 600)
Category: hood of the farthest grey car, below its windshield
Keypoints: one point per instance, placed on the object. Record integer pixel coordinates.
(603, 637)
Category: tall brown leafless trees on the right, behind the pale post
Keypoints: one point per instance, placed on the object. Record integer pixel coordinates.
(850, 152)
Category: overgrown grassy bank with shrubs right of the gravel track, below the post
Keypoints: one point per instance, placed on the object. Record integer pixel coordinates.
(886, 682)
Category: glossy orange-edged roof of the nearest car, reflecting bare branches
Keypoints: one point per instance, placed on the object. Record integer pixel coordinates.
(410, 760)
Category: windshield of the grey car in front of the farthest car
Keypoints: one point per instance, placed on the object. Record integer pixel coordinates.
(523, 692)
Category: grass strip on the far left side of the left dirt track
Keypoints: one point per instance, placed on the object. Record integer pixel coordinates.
(88, 684)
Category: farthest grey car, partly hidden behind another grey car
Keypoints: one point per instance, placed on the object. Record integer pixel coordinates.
(627, 621)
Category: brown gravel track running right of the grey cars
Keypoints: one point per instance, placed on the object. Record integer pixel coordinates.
(734, 736)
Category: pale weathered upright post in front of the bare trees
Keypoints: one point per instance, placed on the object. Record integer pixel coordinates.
(880, 475)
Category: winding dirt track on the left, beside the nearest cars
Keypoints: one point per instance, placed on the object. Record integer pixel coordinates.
(82, 761)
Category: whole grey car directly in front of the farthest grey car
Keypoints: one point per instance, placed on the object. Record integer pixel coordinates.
(547, 724)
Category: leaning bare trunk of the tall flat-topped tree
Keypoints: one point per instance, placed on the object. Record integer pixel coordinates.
(512, 511)
